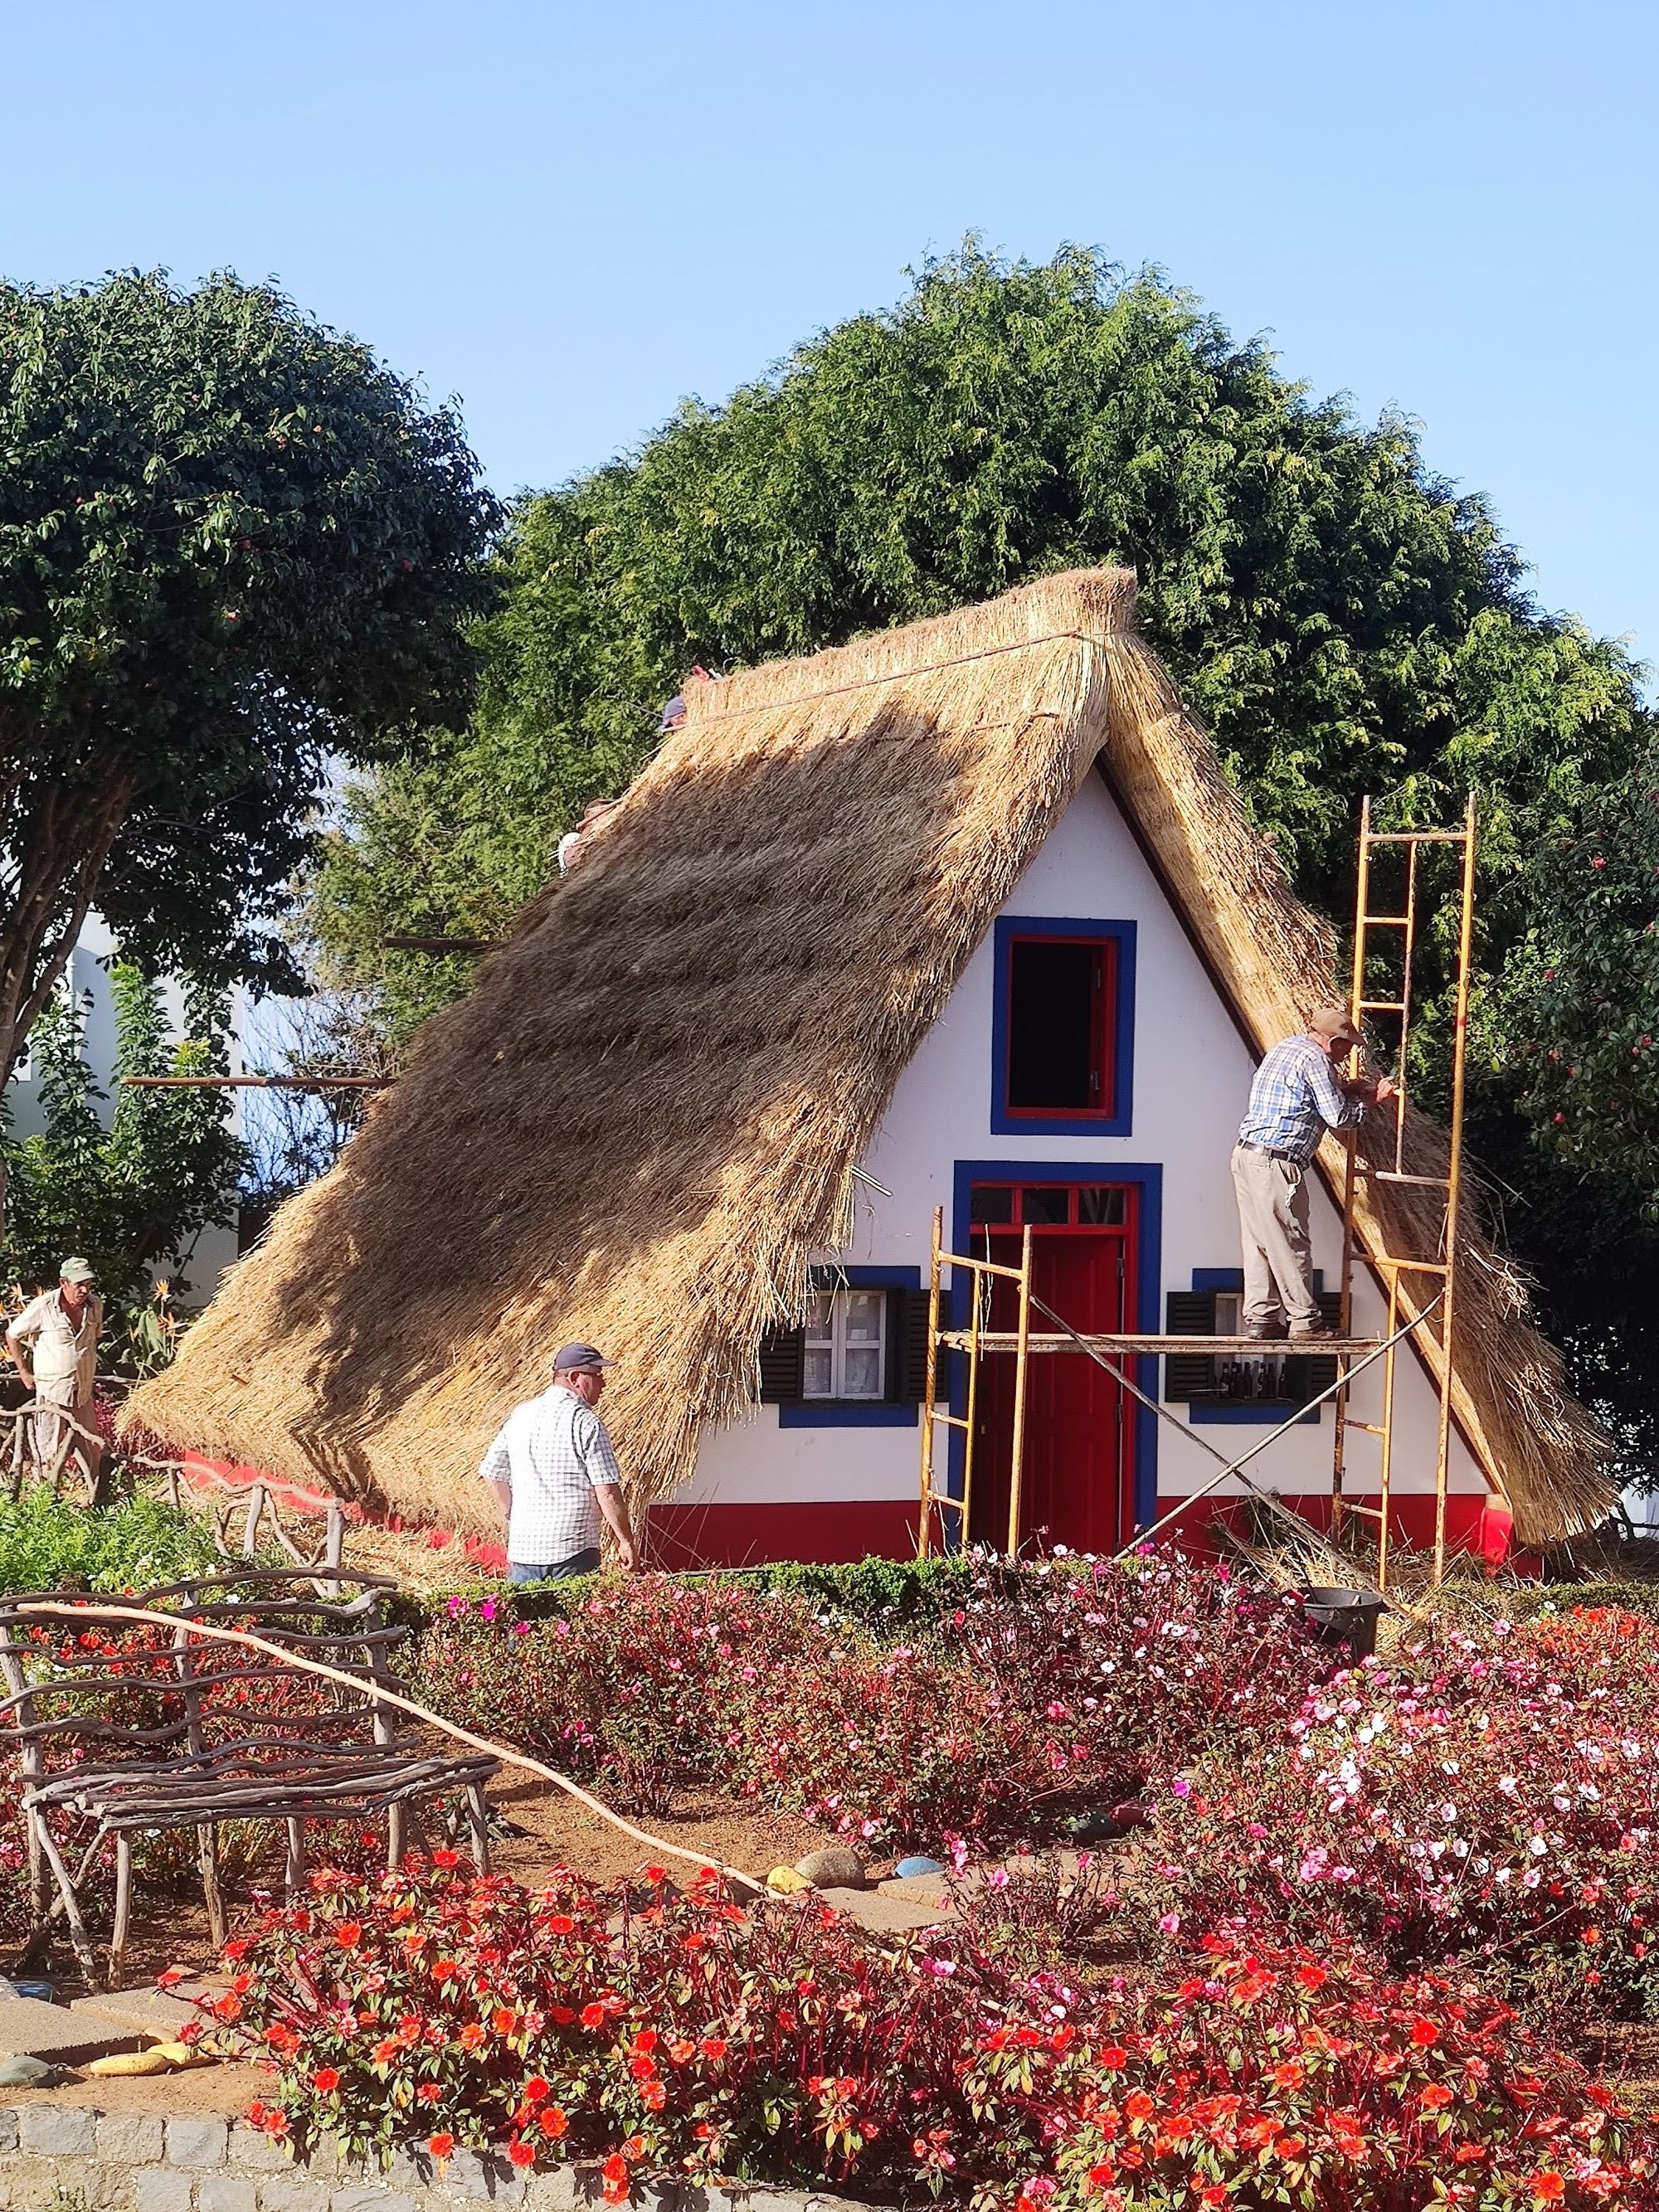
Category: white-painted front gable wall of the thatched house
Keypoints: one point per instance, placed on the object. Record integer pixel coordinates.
(1189, 1092)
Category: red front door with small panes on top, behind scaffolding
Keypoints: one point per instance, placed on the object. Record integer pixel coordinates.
(1078, 1483)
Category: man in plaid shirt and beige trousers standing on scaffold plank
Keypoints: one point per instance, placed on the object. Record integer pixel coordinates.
(1295, 1098)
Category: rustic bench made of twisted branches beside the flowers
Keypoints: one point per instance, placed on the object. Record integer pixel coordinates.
(147, 1731)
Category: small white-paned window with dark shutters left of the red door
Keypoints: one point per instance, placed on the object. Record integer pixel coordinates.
(862, 1355)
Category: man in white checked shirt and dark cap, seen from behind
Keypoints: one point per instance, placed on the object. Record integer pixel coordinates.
(556, 1477)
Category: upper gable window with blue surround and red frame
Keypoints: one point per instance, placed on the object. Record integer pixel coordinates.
(1063, 1025)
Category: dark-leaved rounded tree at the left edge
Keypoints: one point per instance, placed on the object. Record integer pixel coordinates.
(231, 545)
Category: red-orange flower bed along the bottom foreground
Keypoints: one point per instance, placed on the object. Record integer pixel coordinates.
(676, 2034)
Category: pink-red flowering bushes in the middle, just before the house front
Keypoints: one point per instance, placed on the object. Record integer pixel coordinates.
(1032, 1700)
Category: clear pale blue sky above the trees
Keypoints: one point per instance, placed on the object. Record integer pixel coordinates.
(570, 218)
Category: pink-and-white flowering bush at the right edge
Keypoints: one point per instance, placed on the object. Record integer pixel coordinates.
(1481, 1799)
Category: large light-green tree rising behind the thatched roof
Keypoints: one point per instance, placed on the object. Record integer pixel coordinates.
(1344, 620)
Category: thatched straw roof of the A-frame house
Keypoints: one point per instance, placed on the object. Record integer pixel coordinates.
(647, 1114)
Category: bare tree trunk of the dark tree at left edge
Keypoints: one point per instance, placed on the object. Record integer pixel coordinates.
(63, 844)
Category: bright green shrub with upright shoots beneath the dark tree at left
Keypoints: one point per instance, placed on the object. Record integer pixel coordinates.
(136, 1193)
